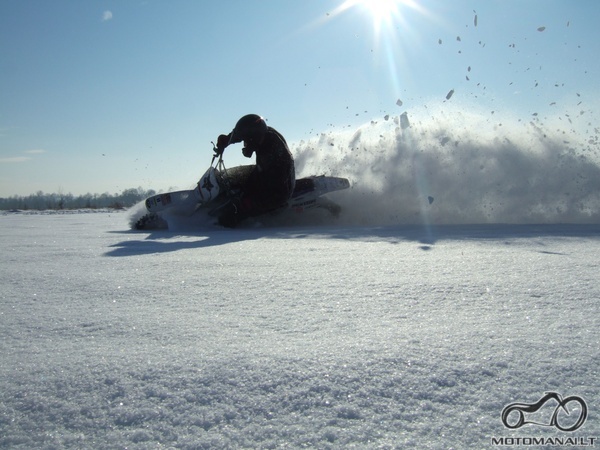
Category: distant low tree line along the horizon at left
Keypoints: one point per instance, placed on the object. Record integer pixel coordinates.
(42, 201)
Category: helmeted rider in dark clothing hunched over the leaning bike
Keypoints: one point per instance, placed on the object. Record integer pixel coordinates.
(272, 180)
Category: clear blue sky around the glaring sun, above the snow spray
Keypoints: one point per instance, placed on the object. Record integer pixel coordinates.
(100, 96)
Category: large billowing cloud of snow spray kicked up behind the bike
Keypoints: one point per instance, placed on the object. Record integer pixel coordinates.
(440, 167)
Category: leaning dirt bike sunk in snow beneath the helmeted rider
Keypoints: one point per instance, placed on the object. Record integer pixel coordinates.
(219, 184)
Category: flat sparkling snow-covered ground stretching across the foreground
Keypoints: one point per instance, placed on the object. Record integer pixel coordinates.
(315, 336)
